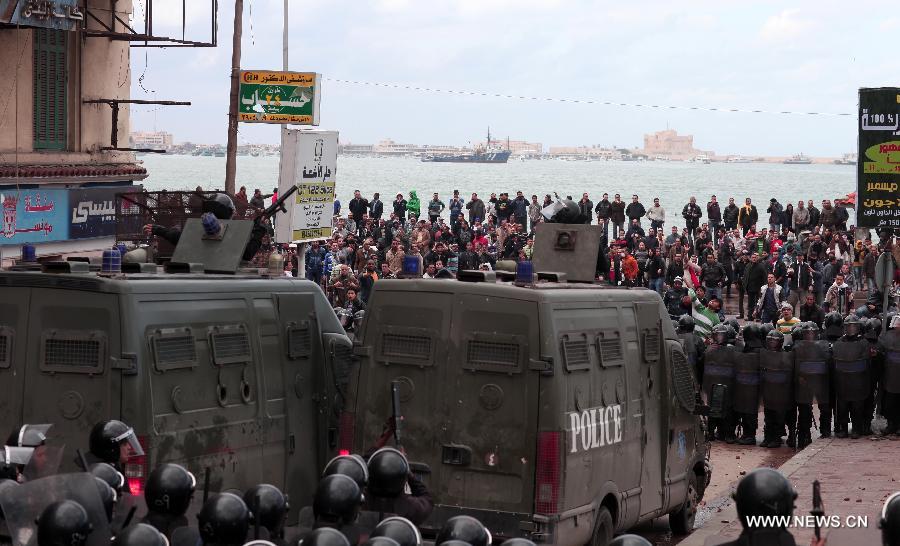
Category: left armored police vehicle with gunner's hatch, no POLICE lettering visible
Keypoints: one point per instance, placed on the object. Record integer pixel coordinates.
(236, 373)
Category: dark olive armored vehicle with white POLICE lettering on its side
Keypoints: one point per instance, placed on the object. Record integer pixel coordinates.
(558, 411)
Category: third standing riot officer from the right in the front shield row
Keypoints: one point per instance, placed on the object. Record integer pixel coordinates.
(812, 366)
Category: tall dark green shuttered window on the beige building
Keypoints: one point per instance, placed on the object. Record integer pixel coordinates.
(50, 83)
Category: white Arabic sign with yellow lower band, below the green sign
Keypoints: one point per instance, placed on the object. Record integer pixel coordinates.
(309, 161)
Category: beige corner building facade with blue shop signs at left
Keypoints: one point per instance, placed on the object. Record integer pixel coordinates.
(58, 175)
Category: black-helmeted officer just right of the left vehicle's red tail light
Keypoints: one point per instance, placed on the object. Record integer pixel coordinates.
(168, 493)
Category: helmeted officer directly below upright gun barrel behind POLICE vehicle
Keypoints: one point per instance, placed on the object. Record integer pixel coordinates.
(389, 476)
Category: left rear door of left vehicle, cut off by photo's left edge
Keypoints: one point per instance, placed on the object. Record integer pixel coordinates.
(13, 343)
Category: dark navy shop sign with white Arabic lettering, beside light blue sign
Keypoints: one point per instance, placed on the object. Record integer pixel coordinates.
(93, 211)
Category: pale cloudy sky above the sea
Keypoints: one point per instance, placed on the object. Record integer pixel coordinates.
(765, 55)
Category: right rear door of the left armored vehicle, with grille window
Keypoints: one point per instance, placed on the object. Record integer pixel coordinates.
(73, 341)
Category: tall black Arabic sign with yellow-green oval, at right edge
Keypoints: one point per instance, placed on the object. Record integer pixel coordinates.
(878, 170)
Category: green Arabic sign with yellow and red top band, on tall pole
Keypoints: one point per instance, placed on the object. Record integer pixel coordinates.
(279, 97)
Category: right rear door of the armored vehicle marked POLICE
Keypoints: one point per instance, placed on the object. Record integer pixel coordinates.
(489, 405)
